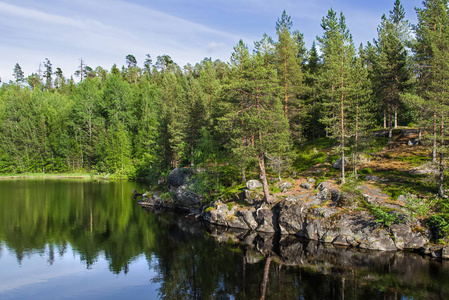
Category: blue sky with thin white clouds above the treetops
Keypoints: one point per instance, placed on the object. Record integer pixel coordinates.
(104, 32)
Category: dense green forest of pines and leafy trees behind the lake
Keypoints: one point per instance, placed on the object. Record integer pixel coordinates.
(251, 114)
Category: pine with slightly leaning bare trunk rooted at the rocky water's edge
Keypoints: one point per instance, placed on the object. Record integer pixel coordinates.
(255, 122)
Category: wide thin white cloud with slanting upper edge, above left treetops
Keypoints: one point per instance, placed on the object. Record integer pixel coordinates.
(102, 33)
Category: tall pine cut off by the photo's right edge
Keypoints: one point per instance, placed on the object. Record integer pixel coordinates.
(432, 50)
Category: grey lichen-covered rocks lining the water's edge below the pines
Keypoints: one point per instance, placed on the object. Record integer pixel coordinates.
(320, 213)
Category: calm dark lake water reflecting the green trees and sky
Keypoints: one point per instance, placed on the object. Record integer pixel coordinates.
(62, 239)
